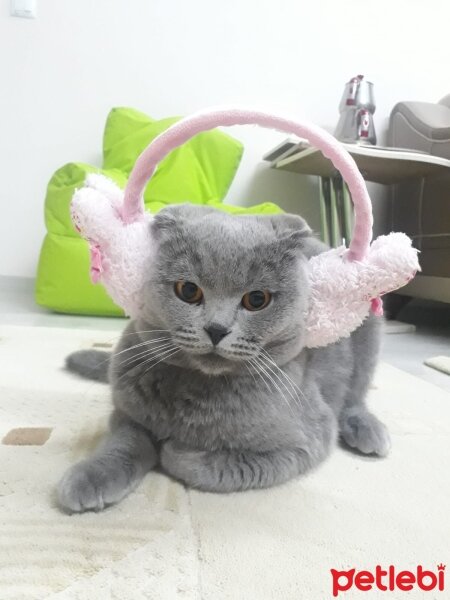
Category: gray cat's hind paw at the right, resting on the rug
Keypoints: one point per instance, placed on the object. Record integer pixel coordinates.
(364, 432)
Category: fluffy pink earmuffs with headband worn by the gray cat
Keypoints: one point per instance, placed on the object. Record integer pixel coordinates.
(345, 283)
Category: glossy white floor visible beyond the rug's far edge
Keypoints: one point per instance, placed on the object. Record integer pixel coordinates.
(406, 351)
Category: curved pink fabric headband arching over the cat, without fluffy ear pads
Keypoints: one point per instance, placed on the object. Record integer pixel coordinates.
(133, 207)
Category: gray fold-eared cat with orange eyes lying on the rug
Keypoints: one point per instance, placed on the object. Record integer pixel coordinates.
(213, 384)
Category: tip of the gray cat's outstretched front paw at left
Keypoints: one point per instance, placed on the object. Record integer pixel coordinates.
(88, 485)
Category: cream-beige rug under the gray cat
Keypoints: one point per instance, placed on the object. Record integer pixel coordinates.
(164, 542)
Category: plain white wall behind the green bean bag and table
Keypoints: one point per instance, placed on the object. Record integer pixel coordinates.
(61, 73)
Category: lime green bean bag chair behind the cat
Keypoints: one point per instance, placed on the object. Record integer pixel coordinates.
(199, 172)
